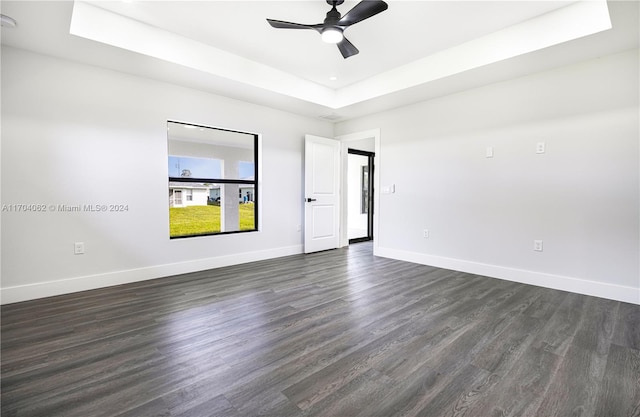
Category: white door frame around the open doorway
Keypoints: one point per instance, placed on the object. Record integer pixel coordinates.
(345, 139)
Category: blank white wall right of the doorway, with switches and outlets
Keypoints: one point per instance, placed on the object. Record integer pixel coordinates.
(581, 197)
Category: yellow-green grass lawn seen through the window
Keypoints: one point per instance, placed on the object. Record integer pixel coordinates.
(202, 220)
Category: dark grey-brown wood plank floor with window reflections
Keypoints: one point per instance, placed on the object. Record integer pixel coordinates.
(338, 333)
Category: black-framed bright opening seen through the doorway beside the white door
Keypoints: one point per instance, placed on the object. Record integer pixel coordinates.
(360, 195)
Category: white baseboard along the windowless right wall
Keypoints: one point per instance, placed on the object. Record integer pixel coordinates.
(557, 282)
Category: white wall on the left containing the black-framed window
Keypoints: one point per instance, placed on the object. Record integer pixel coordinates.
(75, 134)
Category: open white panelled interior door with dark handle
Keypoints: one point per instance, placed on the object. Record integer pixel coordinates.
(322, 193)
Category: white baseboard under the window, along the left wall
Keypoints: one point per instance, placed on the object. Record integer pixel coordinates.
(19, 293)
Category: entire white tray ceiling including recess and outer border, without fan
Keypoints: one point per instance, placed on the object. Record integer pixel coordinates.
(415, 50)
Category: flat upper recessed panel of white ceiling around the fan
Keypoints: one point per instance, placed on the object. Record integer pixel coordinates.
(241, 28)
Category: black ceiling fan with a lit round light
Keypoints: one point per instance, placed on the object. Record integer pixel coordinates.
(334, 24)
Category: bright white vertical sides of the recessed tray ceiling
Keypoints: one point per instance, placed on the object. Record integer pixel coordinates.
(571, 22)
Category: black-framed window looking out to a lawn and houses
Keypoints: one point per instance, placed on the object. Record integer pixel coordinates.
(213, 180)
